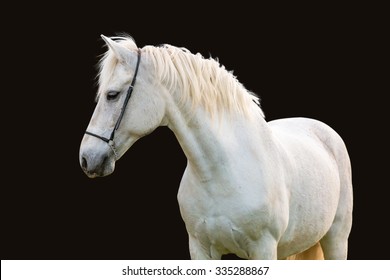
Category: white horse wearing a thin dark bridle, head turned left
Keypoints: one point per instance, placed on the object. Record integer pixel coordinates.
(257, 189)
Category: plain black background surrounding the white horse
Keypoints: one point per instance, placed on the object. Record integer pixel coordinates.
(322, 62)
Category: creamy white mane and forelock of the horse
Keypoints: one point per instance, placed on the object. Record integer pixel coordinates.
(203, 82)
